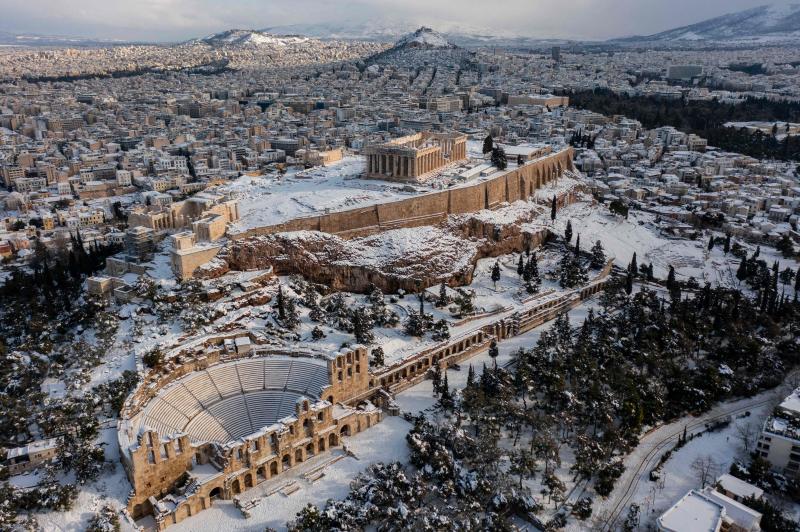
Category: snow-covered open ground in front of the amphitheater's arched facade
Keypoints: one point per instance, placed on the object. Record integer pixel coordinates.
(277, 509)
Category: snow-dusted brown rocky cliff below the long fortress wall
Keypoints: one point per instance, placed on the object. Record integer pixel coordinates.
(409, 259)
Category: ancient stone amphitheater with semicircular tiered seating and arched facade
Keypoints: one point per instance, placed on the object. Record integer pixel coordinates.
(220, 423)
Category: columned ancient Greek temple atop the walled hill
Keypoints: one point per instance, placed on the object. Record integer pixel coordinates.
(413, 157)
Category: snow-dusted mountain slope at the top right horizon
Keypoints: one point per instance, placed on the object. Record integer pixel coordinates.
(768, 23)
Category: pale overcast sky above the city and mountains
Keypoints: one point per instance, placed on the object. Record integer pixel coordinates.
(171, 20)
